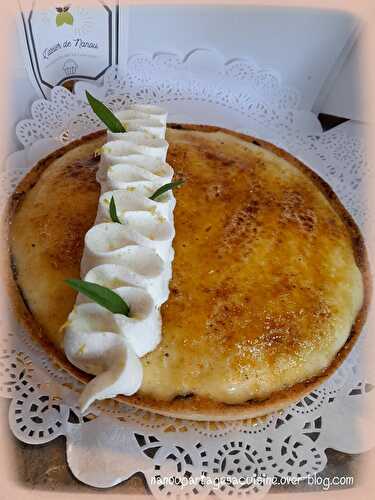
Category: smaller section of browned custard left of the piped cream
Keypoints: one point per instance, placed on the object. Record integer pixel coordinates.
(48, 232)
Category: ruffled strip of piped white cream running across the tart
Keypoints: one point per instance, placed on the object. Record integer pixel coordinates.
(133, 258)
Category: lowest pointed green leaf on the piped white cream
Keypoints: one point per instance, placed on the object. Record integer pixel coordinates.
(101, 295)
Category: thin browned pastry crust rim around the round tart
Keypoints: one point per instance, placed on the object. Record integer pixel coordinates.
(193, 406)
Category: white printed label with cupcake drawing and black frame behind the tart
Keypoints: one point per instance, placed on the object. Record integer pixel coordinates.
(67, 41)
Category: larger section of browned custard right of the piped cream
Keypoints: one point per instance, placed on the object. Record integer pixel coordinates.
(265, 287)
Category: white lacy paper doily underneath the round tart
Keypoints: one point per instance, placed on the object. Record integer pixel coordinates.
(116, 441)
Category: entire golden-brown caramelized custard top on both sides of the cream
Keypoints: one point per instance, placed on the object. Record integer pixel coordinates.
(265, 286)
